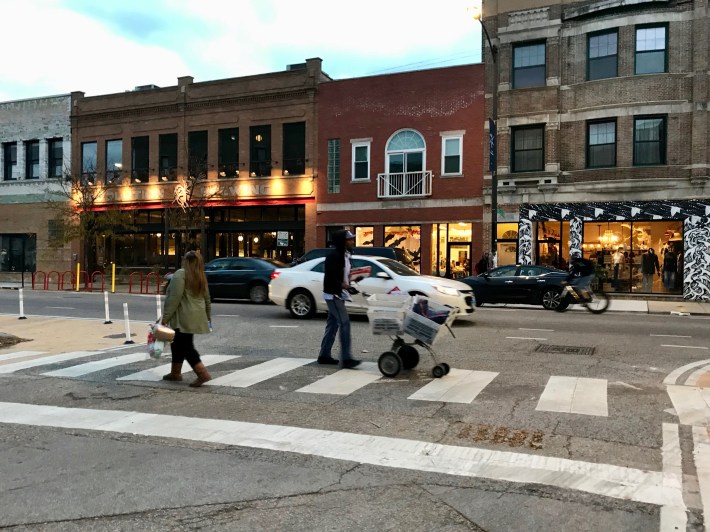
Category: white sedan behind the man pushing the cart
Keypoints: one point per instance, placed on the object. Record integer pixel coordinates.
(300, 288)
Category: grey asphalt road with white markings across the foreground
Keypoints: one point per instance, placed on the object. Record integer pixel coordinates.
(285, 448)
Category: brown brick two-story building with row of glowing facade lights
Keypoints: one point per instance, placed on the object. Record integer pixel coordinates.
(224, 166)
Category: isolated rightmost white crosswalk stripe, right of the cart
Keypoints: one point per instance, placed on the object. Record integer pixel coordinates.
(575, 395)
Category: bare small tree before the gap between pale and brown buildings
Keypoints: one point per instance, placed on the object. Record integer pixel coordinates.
(80, 212)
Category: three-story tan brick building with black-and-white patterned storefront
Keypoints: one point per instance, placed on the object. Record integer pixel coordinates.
(603, 136)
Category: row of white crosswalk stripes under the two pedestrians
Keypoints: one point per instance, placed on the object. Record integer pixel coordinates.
(561, 394)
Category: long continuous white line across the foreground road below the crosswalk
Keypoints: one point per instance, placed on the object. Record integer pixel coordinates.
(624, 483)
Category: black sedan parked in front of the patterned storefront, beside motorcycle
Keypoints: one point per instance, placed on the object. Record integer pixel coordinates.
(533, 285)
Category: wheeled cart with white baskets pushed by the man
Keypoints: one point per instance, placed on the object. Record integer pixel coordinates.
(396, 315)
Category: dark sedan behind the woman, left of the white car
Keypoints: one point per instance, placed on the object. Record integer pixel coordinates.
(238, 278)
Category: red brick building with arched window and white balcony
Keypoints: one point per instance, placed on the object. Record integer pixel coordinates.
(401, 159)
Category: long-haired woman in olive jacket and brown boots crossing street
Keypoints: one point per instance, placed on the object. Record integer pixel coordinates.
(188, 311)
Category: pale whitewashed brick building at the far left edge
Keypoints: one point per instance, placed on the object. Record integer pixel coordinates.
(35, 143)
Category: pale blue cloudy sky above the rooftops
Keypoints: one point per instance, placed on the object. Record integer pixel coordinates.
(107, 46)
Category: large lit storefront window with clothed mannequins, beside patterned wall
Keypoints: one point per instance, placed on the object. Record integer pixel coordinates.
(625, 262)
